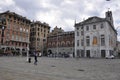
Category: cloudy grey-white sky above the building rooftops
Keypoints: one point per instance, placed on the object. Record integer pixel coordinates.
(63, 13)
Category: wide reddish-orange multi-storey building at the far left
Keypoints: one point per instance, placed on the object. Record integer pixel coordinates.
(14, 33)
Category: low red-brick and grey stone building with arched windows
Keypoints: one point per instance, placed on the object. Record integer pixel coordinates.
(60, 43)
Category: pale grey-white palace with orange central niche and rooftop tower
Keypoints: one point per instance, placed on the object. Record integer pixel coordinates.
(95, 37)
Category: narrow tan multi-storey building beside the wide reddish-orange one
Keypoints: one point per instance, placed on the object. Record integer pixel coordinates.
(38, 36)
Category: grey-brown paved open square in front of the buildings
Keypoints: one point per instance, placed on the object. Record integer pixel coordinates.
(16, 68)
